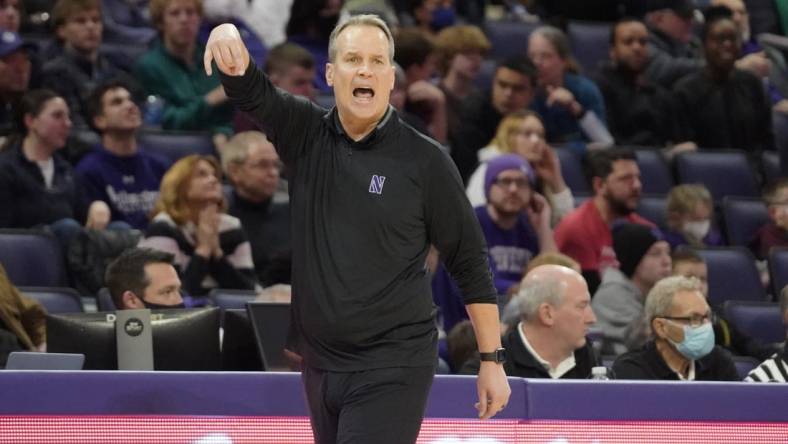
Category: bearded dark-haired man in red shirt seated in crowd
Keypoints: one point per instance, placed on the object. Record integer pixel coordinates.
(584, 234)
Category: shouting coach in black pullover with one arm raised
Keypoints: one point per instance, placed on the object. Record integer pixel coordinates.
(368, 196)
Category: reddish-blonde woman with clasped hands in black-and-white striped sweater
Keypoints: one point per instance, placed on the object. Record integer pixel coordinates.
(210, 247)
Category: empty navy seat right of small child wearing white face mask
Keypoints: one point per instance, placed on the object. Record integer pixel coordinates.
(742, 218)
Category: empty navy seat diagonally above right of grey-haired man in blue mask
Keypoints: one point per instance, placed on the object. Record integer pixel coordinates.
(732, 275)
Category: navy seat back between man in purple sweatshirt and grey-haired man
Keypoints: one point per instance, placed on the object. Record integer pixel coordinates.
(173, 145)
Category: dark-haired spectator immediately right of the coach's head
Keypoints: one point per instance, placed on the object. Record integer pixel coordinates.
(416, 55)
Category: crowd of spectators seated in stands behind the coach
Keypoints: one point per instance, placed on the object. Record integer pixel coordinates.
(678, 79)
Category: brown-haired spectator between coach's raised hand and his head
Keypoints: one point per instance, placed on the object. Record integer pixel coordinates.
(289, 67)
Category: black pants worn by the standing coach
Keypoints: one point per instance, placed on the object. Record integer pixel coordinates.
(372, 406)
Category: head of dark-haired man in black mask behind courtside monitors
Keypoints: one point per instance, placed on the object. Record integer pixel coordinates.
(144, 278)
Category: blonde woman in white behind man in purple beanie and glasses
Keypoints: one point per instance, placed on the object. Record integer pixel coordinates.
(522, 133)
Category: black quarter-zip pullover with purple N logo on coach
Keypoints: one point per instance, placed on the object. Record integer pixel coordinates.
(363, 215)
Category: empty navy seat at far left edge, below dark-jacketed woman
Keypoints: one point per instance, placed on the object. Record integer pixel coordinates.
(32, 258)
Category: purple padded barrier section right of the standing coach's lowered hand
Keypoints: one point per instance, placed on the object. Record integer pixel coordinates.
(656, 400)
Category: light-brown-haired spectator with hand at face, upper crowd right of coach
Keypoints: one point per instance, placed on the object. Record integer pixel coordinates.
(461, 50)
